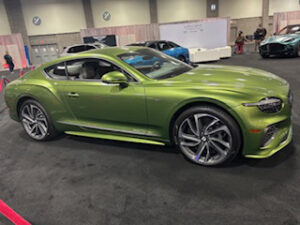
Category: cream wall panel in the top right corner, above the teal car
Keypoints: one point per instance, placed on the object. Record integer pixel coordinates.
(283, 6)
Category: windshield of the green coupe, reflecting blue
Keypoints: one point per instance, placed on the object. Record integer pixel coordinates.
(154, 64)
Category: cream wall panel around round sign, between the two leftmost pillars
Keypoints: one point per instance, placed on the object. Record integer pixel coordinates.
(58, 16)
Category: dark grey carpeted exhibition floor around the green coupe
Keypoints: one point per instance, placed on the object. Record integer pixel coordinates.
(76, 180)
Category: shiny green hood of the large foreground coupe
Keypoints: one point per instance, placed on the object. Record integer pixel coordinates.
(233, 78)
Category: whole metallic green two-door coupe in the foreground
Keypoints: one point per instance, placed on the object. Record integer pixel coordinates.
(211, 113)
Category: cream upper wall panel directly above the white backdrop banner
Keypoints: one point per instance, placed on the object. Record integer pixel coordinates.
(180, 10)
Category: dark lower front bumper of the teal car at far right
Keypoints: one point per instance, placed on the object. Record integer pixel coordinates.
(277, 49)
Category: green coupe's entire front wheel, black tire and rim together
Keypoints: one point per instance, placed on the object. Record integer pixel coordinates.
(217, 141)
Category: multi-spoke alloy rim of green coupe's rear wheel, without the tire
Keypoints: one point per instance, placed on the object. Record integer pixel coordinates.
(34, 121)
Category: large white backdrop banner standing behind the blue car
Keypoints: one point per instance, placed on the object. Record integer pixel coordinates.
(210, 33)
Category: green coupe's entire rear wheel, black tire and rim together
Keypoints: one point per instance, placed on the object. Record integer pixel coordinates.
(36, 122)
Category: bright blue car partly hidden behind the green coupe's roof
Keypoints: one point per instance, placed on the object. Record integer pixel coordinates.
(167, 47)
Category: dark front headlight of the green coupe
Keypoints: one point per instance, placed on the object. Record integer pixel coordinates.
(267, 105)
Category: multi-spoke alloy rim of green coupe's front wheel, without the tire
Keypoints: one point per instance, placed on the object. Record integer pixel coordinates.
(205, 139)
